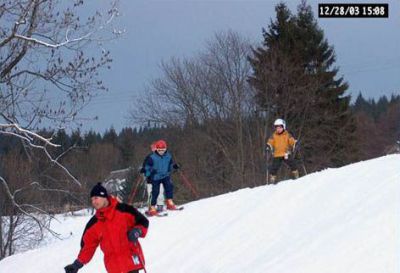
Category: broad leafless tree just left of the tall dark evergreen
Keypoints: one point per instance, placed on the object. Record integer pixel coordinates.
(210, 94)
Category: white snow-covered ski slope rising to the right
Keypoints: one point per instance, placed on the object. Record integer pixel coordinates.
(344, 220)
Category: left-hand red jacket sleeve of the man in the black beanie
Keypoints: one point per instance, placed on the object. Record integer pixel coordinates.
(89, 242)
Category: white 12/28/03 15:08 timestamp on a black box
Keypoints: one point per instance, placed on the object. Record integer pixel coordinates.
(357, 10)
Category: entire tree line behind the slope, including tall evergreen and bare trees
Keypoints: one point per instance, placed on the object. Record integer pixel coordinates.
(216, 110)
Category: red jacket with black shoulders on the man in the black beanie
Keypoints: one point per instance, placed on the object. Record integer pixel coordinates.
(109, 228)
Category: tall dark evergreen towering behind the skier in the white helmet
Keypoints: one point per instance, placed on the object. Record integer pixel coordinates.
(295, 79)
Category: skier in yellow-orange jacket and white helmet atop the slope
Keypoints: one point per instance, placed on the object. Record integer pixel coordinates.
(281, 144)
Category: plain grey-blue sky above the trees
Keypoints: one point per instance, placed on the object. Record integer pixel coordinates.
(368, 50)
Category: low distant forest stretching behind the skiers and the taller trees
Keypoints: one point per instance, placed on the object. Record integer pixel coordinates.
(91, 156)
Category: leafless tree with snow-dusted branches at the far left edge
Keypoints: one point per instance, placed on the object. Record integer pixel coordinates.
(50, 60)
